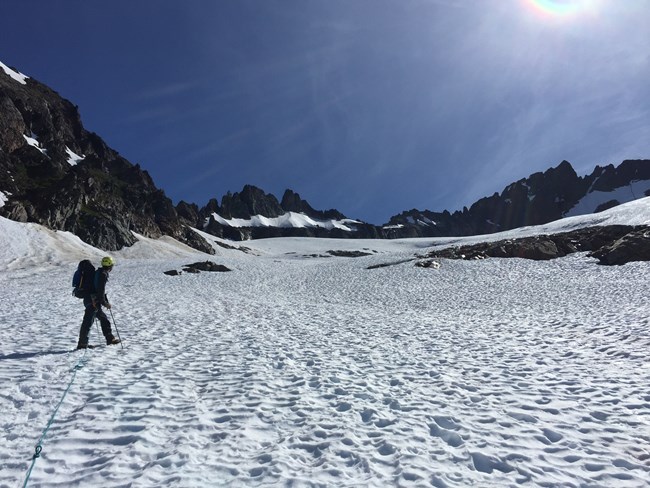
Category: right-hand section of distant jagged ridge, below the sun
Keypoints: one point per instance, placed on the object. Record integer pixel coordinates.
(541, 198)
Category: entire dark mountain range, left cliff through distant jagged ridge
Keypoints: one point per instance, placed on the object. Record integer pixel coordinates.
(60, 175)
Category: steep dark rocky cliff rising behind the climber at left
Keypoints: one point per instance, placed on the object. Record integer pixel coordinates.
(55, 173)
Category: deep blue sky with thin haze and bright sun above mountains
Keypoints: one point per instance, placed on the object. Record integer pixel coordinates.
(368, 106)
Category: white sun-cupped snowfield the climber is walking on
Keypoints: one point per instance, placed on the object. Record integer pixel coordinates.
(300, 371)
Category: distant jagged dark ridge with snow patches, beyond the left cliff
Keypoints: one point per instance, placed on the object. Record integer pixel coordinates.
(541, 198)
